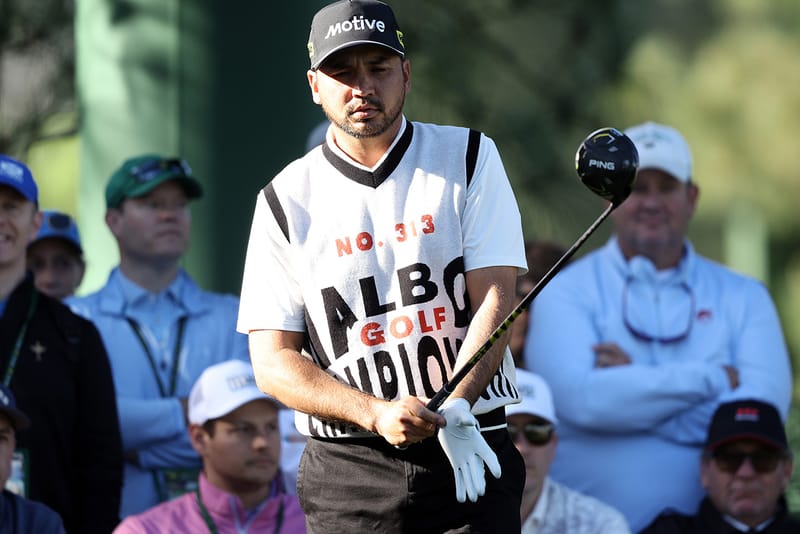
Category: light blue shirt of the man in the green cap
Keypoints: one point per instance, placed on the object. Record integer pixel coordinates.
(152, 423)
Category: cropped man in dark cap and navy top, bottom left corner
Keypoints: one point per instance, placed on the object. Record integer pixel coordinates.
(19, 515)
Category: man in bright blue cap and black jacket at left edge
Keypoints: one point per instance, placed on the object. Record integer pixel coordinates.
(56, 364)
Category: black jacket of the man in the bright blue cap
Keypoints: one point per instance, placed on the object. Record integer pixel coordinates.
(62, 381)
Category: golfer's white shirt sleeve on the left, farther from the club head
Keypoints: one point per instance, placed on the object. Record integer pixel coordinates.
(270, 297)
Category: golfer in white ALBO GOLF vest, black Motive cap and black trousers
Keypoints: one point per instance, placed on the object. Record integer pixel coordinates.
(390, 254)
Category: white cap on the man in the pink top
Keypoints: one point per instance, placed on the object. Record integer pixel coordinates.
(221, 389)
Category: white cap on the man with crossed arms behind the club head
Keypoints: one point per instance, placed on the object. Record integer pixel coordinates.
(663, 148)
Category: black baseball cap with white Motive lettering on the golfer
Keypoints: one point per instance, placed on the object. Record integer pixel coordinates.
(350, 23)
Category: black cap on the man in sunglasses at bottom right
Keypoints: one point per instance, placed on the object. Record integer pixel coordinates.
(746, 419)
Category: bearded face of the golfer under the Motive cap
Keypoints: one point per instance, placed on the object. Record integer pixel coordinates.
(362, 89)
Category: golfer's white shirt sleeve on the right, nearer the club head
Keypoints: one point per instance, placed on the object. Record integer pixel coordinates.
(492, 227)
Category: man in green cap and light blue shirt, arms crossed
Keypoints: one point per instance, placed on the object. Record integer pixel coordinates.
(160, 328)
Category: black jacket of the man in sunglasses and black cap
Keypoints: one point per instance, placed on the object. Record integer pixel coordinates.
(709, 521)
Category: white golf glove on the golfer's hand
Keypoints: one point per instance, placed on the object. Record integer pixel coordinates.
(466, 449)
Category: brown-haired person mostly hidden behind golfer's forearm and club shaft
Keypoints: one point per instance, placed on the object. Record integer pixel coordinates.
(541, 256)
